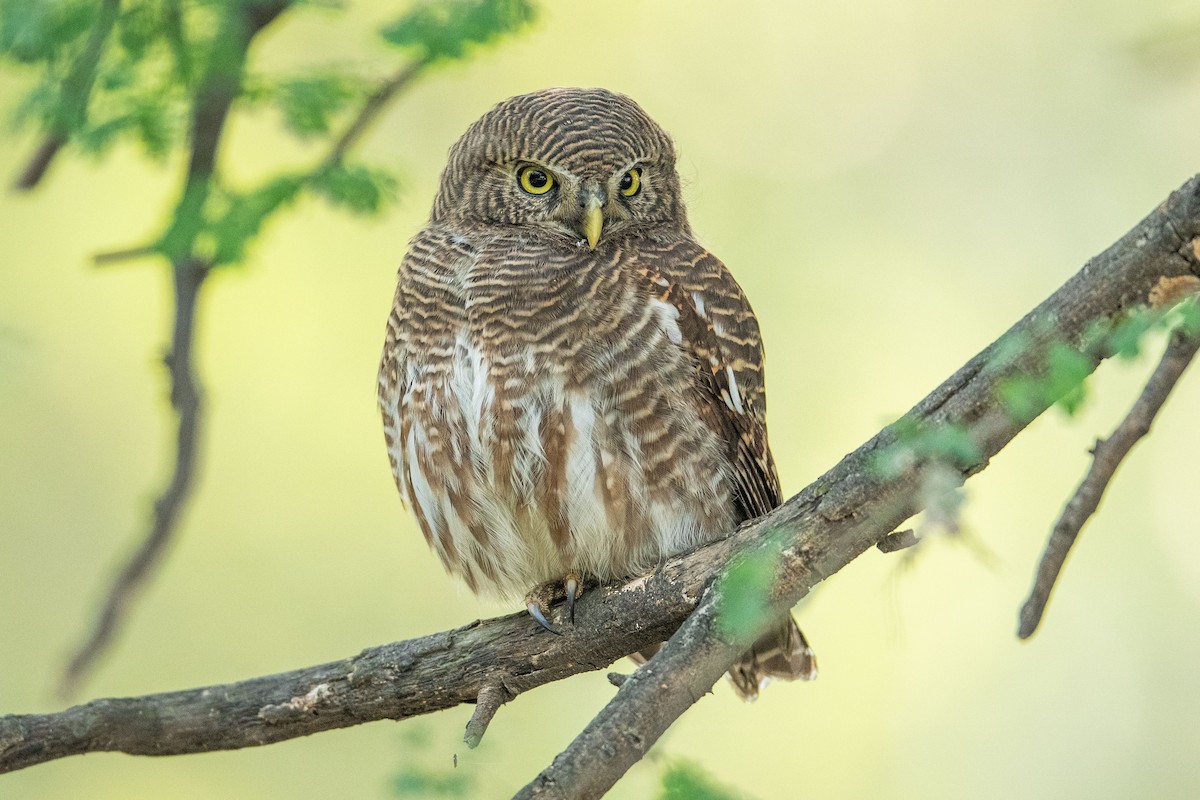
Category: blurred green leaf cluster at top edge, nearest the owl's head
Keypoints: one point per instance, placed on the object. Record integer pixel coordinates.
(449, 29)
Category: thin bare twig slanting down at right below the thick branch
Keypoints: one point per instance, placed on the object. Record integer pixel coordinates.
(1108, 455)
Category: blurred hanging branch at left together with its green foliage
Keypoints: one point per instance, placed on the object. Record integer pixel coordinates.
(116, 67)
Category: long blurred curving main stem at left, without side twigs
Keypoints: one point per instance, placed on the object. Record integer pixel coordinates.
(215, 94)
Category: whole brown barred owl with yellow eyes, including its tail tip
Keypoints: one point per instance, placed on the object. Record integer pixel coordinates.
(572, 387)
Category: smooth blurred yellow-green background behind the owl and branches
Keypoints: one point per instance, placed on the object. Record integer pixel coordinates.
(893, 183)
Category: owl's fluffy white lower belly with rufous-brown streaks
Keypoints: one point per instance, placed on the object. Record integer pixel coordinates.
(520, 484)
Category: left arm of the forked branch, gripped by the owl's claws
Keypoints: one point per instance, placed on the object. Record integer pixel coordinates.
(393, 682)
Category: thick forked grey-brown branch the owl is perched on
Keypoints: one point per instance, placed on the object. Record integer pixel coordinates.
(811, 538)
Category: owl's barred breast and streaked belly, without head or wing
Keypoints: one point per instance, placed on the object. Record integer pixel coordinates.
(554, 430)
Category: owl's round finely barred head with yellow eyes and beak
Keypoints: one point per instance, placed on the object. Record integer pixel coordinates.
(580, 165)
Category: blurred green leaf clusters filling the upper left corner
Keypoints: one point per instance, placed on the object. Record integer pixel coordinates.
(134, 73)
